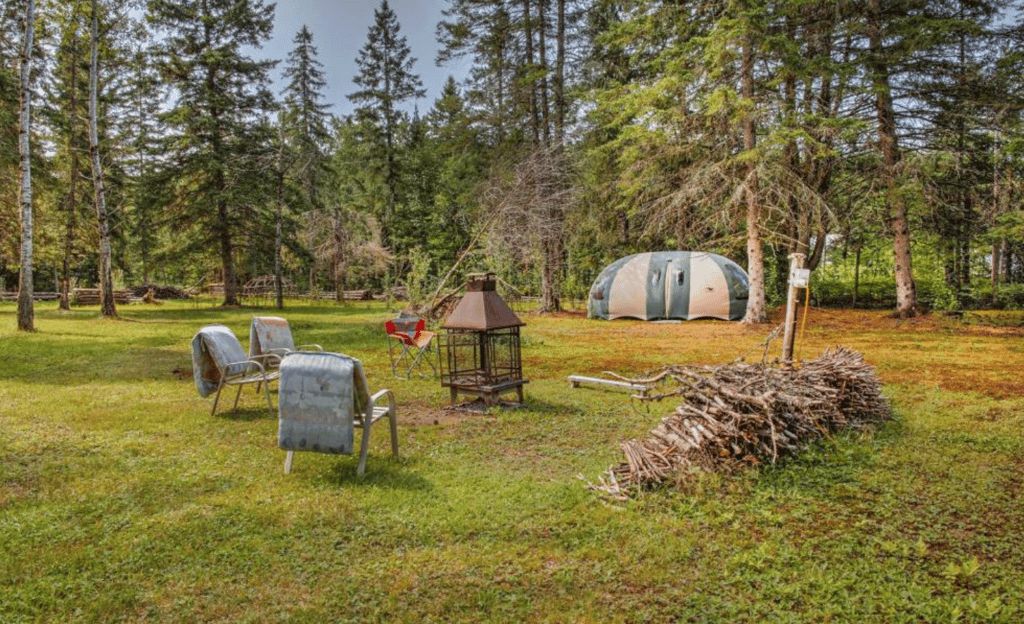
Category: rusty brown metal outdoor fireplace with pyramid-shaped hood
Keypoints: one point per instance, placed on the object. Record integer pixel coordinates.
(481, 352)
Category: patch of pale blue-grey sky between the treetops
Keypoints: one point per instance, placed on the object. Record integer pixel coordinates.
(340, 29)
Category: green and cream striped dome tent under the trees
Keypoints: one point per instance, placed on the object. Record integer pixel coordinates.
(682, 285)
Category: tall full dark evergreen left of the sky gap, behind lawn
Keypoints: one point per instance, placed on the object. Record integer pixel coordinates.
(221, 93)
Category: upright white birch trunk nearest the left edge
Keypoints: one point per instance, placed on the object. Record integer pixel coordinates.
(26, 310)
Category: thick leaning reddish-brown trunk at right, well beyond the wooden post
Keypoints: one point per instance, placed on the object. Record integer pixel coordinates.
(907, 289)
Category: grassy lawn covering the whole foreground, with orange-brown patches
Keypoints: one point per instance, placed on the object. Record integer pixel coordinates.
(123, 501)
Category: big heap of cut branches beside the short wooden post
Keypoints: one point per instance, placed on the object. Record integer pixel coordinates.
(742, 415)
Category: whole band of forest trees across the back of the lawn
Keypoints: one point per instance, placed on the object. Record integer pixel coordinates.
(881, 139)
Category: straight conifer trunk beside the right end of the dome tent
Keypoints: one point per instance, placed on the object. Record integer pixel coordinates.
(756, 307)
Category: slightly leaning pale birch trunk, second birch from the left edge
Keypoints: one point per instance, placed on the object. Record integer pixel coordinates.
(108, 308)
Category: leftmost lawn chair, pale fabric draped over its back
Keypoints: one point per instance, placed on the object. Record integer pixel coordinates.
(219, 361)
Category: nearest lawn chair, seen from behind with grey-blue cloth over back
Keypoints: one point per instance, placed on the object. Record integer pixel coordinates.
(322, 398)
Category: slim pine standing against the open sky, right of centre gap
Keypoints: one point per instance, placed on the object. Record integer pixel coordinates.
(387, 80)
